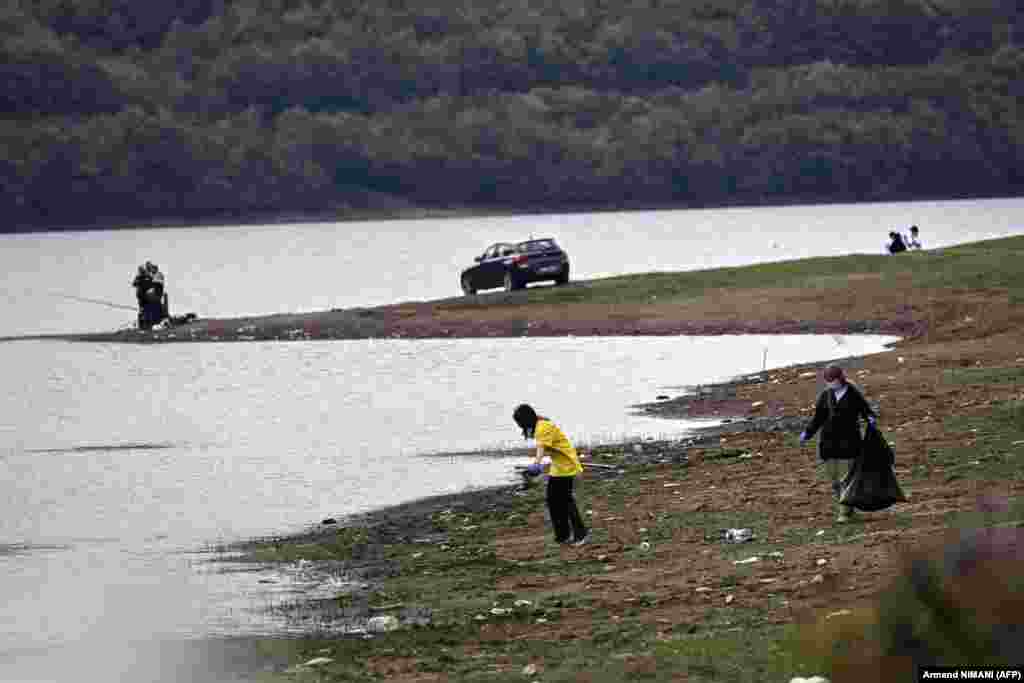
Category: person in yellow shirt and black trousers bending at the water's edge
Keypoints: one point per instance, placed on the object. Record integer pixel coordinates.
(569, 526)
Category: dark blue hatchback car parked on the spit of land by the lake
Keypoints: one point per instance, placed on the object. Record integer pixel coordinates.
(513, 266)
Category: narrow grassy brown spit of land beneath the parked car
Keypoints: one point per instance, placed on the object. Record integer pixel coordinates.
(971, 290)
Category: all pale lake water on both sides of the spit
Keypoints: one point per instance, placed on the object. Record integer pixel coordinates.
(120, 464)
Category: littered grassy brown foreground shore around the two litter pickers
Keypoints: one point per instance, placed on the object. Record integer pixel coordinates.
(454, 570)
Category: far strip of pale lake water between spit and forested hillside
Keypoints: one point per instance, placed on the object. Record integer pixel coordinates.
(233, 272)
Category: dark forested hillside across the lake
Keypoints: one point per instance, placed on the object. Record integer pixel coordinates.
(126, 111)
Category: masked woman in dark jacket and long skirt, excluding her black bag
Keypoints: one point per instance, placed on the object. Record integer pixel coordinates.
(838, 415)
